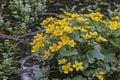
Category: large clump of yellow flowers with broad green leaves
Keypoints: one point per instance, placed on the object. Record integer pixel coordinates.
(75, 43)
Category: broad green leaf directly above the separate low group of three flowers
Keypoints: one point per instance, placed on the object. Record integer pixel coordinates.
(67, 52)
